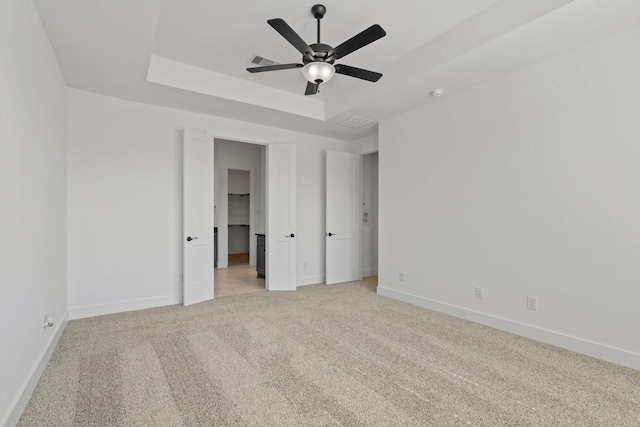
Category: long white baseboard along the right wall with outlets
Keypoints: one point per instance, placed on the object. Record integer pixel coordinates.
(579, 345)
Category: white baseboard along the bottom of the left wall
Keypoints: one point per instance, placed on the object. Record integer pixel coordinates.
(21, 400)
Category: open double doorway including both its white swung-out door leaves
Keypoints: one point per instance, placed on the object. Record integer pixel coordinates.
(205, 197)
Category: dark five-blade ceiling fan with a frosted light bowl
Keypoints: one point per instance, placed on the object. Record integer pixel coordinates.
(318, 58)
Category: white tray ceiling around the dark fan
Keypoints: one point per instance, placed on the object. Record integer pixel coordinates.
(193, 54)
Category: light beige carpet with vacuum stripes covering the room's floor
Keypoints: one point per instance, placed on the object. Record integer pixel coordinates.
(325, 355)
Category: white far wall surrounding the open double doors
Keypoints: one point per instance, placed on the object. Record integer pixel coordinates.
(125, 200)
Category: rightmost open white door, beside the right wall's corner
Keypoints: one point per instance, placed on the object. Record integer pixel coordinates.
(344, 183)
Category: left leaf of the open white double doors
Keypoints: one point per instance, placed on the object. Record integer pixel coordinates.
(197, 217)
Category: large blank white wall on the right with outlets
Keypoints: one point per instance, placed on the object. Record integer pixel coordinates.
(526, 186)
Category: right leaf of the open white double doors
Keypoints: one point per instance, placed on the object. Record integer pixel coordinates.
(281, 218)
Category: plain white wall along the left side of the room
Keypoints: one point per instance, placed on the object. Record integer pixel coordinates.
(33, 197)
